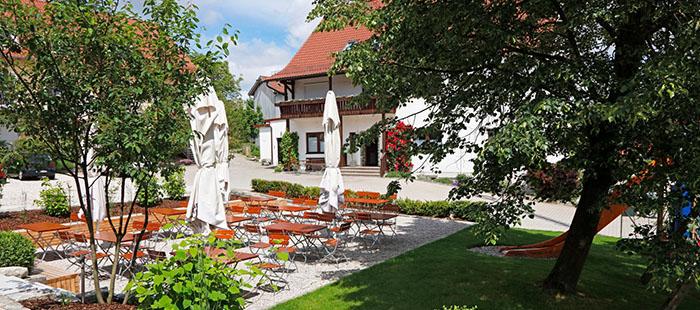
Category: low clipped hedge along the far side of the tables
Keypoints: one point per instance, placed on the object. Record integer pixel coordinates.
(457, 209)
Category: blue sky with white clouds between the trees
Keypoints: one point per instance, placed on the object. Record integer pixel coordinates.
(270, 32)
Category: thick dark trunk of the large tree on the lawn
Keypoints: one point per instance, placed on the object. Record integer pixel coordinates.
(597, 181)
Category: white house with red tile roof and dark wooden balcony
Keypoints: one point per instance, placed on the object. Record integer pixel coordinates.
(293, 99)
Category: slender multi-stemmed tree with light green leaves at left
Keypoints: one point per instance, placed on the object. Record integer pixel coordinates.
(104, 88)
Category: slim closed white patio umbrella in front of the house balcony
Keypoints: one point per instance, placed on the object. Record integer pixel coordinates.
(332, 187)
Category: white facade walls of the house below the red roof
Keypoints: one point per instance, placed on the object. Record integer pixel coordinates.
(460, 162)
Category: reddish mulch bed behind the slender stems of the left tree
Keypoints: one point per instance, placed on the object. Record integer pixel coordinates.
(10, 220)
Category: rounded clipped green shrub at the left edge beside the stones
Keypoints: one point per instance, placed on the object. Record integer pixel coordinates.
(16, 250)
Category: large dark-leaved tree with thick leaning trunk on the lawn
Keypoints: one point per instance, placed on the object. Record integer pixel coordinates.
(605, 85)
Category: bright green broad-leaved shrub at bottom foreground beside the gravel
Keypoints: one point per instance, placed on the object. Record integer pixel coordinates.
(191, 279)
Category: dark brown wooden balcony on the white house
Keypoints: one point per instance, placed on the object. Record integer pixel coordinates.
(301, 108)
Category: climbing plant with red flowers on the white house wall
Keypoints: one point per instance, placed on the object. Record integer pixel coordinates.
(398, 143)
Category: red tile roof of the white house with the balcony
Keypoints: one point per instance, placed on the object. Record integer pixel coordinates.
(315, 56)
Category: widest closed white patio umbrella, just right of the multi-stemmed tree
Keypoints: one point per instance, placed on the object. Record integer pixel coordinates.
(205, 209)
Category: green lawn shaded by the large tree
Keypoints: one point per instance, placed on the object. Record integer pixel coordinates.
(446, 273)
